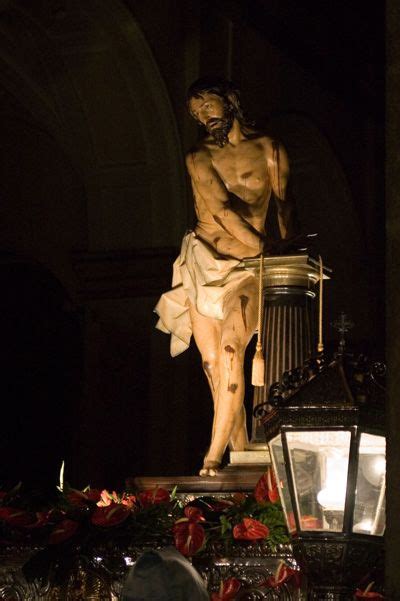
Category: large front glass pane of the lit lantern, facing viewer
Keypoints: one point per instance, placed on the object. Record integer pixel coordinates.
(319, 462)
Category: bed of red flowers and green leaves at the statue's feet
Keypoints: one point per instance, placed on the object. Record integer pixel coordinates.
(87, 519)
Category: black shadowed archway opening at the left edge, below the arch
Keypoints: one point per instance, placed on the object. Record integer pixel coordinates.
(42, 366)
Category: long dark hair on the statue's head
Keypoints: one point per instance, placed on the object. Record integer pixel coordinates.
(223, 88)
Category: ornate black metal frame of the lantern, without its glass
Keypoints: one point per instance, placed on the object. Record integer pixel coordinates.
(344, 394)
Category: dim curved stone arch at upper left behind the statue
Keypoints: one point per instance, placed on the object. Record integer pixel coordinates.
(85, 74)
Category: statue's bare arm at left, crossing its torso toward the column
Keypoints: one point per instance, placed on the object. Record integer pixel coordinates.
(210, 188)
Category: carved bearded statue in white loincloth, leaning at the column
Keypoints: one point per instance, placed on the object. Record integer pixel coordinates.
(234, 170)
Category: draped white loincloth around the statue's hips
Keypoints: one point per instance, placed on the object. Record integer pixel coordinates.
(202, 277)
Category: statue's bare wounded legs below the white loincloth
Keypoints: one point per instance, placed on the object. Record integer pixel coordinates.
(222, 345)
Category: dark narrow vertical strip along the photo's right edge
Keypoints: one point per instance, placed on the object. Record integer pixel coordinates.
(393, 294)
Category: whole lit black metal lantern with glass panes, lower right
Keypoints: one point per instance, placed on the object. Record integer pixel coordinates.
(327, 445)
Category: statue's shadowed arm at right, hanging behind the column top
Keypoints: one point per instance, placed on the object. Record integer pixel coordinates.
(278, 170)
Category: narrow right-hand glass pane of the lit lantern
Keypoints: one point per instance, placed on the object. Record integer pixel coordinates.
(369, 508)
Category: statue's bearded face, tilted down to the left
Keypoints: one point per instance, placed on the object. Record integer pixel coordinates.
(215, 114)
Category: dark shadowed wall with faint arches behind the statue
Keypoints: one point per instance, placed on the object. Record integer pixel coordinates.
(95, 200)
